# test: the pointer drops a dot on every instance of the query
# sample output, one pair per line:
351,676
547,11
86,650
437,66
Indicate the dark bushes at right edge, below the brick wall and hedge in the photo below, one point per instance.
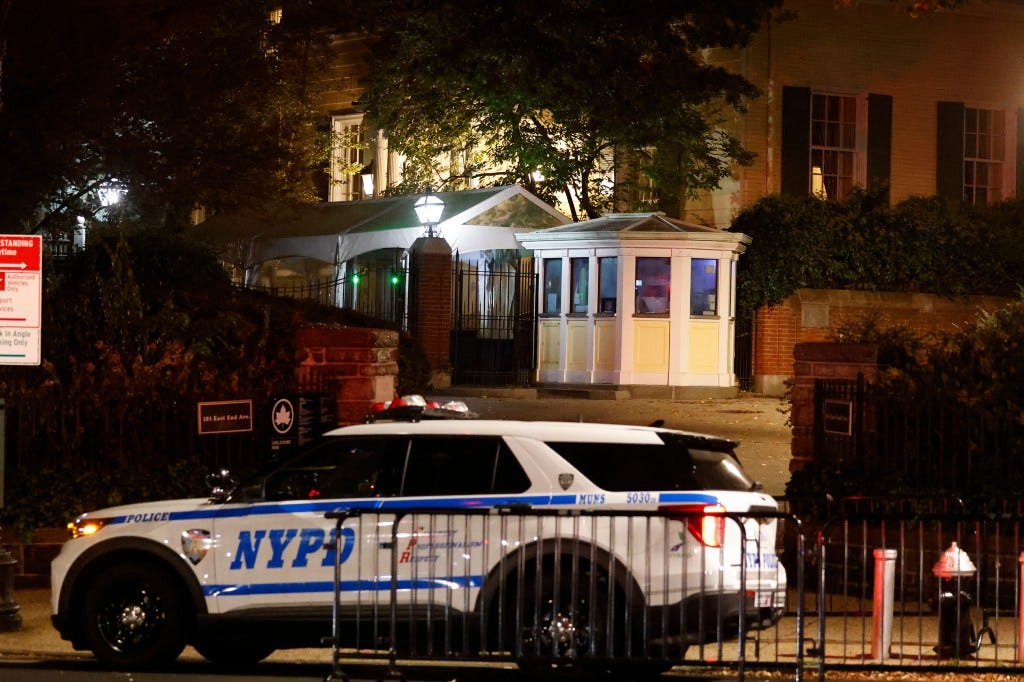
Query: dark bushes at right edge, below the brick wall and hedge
959,393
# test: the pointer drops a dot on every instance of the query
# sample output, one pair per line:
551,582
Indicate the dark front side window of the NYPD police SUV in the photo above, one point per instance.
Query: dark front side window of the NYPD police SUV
358,467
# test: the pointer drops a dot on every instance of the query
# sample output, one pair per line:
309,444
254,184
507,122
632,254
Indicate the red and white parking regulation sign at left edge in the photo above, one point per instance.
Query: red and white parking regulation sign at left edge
21,299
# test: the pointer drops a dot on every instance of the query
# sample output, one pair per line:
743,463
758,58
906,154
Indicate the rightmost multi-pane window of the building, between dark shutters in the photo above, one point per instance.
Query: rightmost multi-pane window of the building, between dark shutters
985,144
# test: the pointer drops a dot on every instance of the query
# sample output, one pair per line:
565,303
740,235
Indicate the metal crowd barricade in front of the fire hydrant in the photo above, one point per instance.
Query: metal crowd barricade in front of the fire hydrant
935,596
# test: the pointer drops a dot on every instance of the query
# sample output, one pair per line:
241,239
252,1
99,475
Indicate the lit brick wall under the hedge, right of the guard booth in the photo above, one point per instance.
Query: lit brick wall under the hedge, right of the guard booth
808,315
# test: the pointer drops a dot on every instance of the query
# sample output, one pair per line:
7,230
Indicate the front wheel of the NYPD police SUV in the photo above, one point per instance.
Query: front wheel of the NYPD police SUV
133,616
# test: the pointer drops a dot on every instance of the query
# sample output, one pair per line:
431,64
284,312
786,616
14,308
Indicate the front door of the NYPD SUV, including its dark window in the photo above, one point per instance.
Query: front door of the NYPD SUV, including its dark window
274,552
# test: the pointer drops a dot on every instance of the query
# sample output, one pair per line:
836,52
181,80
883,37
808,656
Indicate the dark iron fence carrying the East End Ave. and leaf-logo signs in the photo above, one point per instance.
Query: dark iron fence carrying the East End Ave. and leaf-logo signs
130,436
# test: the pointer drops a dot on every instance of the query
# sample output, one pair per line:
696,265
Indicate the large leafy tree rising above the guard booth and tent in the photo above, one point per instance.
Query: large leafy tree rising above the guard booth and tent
544,93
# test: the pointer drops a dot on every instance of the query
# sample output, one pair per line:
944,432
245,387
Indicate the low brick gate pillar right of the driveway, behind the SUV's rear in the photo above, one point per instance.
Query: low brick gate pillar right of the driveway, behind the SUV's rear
822,361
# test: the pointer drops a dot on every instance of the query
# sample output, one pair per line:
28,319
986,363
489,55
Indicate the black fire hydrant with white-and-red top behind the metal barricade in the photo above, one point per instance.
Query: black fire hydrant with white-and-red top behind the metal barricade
957,636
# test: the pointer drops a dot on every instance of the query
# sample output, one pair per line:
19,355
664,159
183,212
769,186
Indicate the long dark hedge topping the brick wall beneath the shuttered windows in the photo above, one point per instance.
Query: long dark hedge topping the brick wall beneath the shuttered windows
921,244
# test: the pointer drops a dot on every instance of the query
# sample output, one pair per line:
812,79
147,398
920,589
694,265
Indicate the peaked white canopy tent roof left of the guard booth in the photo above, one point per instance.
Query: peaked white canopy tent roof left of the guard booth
335,232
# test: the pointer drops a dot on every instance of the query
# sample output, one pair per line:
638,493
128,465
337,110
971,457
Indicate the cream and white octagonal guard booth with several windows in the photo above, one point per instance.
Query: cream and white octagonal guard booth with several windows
637,300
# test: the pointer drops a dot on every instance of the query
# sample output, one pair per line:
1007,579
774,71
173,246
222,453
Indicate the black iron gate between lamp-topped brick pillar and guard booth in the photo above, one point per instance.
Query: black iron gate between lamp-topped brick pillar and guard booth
494,322
